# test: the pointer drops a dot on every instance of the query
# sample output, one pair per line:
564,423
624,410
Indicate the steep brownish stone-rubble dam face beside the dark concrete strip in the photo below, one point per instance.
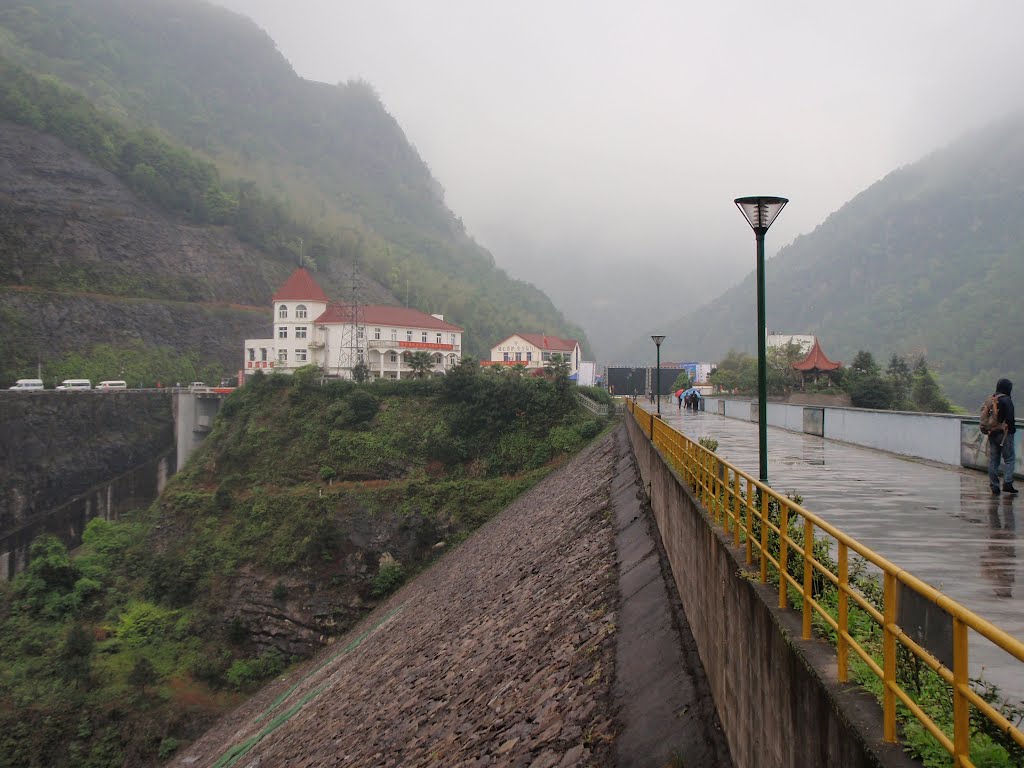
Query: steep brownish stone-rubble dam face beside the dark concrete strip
502,654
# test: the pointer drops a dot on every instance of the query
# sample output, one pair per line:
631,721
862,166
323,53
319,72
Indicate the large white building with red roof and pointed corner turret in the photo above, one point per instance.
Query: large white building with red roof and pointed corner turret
309,329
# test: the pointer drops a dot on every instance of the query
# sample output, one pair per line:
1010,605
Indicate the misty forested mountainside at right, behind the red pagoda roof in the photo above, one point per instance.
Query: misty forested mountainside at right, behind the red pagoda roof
929,261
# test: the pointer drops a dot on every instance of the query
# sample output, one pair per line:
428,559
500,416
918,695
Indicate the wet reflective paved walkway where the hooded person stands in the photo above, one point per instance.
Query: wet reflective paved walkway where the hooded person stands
941,524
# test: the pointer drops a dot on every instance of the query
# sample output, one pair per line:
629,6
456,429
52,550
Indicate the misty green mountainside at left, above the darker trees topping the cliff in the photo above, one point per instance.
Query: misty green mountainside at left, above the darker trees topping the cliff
351,186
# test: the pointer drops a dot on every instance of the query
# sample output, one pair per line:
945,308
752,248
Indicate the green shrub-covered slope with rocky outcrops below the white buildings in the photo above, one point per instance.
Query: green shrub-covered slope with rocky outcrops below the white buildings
306,506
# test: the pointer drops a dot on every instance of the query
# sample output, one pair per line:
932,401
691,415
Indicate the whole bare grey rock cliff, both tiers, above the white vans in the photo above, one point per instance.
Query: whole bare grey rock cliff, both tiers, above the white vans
68,227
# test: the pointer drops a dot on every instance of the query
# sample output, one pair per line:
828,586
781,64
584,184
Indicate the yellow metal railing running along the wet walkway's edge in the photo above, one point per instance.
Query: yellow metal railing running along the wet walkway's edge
746,508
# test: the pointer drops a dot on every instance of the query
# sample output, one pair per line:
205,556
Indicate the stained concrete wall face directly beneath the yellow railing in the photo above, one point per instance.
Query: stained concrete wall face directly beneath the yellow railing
778,696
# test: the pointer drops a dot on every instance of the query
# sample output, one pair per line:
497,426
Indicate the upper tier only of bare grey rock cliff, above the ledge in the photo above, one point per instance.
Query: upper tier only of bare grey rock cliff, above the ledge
66,224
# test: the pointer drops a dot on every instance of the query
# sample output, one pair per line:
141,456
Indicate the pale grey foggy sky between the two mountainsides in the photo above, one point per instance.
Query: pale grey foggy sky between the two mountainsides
585,136
